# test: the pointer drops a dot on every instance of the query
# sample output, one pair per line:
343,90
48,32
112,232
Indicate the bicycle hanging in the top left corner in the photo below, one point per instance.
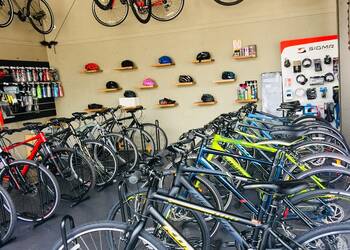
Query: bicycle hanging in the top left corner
38,12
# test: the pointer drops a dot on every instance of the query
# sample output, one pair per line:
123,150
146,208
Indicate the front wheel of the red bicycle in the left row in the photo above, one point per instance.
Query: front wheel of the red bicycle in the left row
75,174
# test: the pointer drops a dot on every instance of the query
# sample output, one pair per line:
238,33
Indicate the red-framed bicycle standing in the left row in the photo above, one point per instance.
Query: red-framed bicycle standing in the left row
75,174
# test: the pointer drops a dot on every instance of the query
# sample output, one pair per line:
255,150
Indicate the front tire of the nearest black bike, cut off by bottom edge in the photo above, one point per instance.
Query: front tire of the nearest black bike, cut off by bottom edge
106,227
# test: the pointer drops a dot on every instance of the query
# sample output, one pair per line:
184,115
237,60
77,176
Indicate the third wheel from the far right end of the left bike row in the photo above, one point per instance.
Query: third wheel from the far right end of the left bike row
126,150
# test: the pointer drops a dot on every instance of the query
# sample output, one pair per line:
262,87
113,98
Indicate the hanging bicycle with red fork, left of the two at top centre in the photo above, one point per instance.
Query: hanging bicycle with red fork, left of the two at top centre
111,13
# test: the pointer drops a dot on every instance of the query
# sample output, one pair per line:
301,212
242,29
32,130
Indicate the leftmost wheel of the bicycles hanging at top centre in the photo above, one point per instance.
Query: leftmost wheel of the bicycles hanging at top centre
113,16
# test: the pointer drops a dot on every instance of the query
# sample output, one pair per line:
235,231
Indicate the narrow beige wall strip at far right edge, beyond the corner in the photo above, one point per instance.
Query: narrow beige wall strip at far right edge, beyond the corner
345,65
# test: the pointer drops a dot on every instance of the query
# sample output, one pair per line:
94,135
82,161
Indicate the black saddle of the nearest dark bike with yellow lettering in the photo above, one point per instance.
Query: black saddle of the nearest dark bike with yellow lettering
280,187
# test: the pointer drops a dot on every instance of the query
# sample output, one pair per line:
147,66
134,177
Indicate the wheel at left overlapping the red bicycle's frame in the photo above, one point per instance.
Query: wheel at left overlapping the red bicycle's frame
22,207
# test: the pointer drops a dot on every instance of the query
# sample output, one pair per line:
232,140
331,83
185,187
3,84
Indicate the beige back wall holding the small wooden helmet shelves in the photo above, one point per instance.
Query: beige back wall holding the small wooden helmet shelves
203,25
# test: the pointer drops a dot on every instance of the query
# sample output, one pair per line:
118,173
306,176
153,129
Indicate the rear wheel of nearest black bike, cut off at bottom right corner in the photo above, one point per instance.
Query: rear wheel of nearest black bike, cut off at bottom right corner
334,237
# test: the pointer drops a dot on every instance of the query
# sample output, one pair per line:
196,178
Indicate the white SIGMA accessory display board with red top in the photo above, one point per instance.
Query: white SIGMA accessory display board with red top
310,74
